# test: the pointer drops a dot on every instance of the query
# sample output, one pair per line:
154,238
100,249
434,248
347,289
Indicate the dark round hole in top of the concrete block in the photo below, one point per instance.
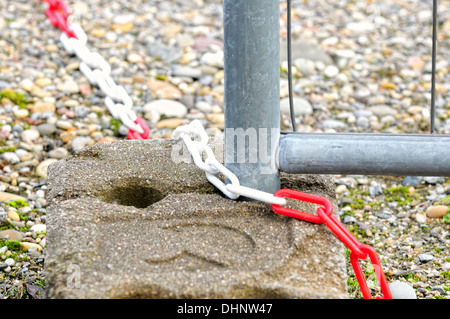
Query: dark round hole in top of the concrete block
137,196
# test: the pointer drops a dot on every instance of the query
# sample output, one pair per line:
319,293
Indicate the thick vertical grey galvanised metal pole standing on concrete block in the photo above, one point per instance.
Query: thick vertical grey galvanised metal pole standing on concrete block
252,75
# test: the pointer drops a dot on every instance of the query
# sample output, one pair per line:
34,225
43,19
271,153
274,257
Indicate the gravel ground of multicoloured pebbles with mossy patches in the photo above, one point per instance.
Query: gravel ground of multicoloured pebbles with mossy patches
367,69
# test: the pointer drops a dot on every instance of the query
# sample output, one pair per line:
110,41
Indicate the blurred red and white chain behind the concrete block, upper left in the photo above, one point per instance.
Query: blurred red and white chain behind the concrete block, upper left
96,69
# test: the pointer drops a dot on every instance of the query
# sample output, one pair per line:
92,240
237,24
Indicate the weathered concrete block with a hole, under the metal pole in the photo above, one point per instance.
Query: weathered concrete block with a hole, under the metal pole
137,219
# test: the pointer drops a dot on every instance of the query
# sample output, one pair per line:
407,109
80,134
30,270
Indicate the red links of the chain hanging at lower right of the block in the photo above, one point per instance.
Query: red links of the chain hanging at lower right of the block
325,216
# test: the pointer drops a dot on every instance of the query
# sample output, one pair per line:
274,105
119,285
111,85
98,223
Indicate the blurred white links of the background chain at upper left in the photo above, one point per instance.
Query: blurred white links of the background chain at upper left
97,71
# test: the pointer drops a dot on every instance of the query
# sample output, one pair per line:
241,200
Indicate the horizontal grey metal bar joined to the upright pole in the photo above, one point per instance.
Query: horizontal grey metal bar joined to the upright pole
365,154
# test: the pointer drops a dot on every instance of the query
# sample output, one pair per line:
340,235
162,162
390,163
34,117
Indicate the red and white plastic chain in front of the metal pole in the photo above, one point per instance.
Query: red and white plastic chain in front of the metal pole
196,139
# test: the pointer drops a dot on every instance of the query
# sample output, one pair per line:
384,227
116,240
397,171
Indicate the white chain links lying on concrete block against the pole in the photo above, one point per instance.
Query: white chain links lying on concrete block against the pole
196,139
